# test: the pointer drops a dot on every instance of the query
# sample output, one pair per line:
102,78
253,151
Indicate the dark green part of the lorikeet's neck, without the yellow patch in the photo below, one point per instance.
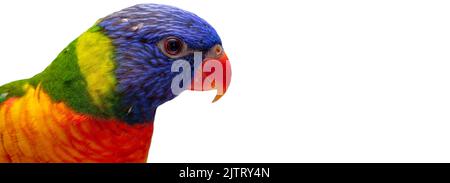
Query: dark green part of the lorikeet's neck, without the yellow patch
65,82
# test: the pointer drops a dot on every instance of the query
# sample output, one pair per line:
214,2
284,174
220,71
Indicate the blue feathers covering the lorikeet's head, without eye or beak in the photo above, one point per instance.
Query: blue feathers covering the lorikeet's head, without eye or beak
143,72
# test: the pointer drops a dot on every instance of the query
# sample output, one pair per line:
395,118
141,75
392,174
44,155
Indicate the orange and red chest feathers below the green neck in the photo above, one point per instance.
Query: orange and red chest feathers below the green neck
35,129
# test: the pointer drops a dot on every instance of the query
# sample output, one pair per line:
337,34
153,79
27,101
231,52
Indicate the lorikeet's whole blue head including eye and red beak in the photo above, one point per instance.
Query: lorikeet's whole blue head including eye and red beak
158,52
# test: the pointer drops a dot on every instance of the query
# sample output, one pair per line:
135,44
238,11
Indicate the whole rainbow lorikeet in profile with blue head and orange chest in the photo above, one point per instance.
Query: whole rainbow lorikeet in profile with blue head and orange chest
96,102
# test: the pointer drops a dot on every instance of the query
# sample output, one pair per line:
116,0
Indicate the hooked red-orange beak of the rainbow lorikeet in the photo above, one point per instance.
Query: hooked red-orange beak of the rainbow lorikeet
215,73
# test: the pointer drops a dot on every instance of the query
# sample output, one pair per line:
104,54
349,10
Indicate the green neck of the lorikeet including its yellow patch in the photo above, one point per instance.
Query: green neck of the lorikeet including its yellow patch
82,76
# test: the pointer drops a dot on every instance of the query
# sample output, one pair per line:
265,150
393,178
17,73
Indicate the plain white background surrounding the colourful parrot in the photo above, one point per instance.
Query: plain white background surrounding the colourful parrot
313,81
